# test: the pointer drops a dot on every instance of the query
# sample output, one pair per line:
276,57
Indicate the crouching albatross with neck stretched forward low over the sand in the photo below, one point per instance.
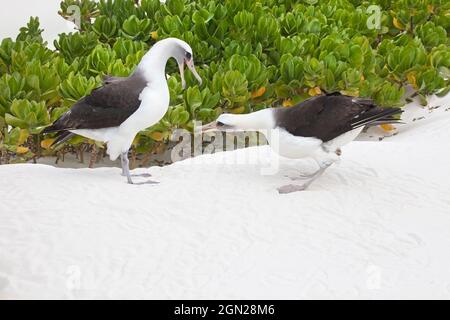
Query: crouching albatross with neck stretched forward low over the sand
316,128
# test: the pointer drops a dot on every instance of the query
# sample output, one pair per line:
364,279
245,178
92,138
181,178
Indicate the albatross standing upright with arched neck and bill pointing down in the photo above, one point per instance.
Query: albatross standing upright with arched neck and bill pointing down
117,111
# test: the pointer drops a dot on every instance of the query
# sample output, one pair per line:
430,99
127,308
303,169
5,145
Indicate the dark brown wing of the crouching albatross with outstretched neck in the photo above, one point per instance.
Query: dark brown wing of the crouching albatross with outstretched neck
327,117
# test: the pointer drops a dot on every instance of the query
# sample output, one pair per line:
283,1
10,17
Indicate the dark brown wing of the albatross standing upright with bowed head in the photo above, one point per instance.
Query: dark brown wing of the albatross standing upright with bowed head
107,106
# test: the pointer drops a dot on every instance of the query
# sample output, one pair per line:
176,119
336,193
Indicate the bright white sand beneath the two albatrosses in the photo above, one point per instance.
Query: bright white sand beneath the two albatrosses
374,226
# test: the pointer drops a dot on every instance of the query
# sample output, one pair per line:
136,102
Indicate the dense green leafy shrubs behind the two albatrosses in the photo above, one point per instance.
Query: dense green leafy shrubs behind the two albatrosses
250,54
